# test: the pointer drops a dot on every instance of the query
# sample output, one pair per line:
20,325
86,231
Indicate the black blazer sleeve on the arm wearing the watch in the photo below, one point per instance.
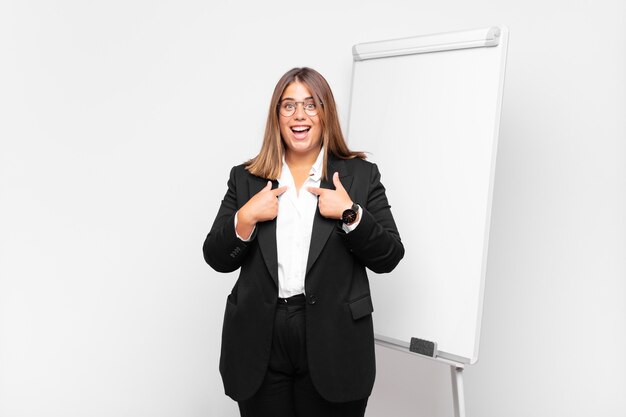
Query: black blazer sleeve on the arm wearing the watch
376,241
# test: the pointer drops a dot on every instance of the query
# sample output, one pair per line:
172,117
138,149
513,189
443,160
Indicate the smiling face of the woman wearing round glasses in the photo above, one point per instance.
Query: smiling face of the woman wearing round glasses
301,132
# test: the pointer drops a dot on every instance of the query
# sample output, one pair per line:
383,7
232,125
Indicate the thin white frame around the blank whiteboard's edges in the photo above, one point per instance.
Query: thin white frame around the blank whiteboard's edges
493,36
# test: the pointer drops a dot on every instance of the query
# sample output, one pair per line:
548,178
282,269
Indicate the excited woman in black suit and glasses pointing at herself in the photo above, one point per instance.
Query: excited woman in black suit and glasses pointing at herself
303,219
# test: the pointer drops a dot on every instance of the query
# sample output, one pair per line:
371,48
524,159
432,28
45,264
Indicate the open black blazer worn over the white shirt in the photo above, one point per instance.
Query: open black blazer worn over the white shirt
339,333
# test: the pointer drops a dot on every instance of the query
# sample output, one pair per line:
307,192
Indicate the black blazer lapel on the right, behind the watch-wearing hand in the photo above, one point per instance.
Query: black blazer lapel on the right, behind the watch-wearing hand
323,227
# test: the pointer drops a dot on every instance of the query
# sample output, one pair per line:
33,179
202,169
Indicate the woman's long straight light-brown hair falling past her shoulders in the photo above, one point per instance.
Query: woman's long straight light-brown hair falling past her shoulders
269,161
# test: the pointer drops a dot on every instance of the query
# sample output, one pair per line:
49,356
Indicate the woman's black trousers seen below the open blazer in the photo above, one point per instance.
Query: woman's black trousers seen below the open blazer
287,390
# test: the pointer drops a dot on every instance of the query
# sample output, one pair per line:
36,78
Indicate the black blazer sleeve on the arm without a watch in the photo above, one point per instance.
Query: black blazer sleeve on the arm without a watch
222,249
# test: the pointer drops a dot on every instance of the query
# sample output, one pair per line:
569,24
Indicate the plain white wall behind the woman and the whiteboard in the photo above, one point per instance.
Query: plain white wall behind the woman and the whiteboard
119,121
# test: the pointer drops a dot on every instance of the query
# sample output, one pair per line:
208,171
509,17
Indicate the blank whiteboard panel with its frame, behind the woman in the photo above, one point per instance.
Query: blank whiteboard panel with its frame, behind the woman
427,111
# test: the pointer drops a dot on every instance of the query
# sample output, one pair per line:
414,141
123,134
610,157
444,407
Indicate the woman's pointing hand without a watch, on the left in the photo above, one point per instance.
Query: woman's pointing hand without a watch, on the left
263,206
